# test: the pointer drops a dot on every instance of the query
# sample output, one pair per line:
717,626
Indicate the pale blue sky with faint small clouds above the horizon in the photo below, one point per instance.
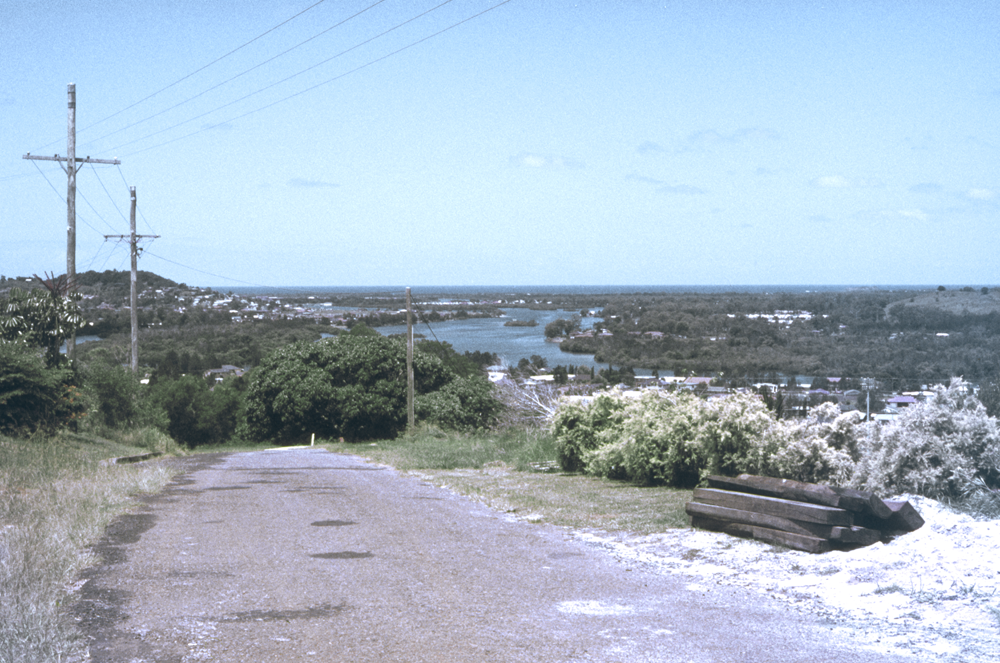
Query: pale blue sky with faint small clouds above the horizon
542,142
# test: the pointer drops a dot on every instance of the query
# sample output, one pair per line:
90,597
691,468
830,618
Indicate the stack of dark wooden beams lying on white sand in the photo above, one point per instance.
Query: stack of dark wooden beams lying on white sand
802,516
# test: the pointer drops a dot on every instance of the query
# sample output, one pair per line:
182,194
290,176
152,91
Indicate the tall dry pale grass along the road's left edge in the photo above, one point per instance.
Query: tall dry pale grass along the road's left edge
55,499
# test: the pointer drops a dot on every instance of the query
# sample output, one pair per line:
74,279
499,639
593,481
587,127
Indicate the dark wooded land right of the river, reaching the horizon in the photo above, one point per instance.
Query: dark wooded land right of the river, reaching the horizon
862,333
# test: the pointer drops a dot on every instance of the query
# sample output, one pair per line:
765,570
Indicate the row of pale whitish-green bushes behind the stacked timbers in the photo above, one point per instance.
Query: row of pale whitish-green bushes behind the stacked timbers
945,448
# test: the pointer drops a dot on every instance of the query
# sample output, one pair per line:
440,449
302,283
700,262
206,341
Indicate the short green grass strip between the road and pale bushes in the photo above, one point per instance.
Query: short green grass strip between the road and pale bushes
499,469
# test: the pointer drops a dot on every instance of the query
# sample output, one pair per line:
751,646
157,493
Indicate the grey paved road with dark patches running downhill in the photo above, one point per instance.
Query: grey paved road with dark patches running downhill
305,555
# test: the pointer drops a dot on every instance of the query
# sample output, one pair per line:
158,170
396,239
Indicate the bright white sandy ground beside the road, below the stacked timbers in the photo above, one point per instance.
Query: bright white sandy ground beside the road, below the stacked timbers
932,593
